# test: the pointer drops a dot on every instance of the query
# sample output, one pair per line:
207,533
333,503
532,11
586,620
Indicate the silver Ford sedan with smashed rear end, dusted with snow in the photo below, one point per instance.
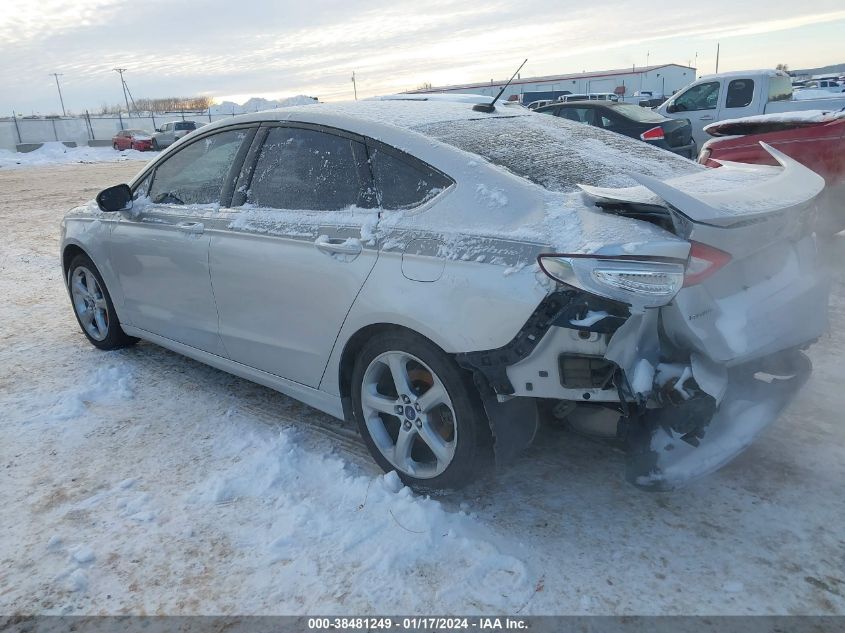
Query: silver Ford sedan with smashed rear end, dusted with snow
432,271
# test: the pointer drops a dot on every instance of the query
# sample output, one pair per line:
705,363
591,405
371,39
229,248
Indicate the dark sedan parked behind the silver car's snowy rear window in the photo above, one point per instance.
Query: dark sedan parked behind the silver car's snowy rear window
630,120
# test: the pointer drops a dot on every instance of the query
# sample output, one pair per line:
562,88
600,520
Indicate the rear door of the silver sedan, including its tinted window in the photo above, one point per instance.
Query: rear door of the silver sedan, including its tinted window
288,267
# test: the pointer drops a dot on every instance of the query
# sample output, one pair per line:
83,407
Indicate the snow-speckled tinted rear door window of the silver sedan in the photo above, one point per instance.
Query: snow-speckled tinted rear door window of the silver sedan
305,169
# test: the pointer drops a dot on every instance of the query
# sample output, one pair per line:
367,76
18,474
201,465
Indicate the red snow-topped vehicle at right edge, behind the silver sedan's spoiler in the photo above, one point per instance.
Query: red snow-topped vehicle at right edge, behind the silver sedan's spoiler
815,139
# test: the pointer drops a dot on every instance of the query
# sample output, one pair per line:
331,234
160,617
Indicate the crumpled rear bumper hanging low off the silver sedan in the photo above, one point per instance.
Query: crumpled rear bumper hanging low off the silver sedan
659,459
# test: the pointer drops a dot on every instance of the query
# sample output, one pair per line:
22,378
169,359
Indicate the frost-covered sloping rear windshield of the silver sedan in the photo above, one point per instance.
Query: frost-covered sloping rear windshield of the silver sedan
556,153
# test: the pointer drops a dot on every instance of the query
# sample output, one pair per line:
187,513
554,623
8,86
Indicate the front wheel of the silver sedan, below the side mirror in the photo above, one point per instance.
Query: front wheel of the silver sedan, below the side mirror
89,296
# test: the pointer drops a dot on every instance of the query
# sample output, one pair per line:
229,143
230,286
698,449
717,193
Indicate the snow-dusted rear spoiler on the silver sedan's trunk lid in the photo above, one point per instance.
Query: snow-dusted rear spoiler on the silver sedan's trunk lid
749,199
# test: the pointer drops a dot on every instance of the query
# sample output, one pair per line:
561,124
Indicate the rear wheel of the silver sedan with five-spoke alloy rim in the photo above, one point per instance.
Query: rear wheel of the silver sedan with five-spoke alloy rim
441,408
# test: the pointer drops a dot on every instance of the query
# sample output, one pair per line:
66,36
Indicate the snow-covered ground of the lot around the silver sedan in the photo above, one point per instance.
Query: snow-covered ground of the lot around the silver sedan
143,482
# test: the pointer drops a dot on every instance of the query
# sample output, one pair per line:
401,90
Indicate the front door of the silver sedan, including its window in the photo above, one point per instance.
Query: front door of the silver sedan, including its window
160,253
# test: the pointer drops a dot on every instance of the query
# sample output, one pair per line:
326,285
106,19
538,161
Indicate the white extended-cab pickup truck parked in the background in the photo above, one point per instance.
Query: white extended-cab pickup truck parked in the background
738,94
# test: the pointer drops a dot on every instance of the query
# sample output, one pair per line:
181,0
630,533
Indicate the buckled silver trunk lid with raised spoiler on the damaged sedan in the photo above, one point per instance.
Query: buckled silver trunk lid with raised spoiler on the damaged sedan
772,294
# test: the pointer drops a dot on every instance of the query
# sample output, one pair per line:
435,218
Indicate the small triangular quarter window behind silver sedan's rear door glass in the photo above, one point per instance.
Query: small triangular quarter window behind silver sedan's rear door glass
401,184
